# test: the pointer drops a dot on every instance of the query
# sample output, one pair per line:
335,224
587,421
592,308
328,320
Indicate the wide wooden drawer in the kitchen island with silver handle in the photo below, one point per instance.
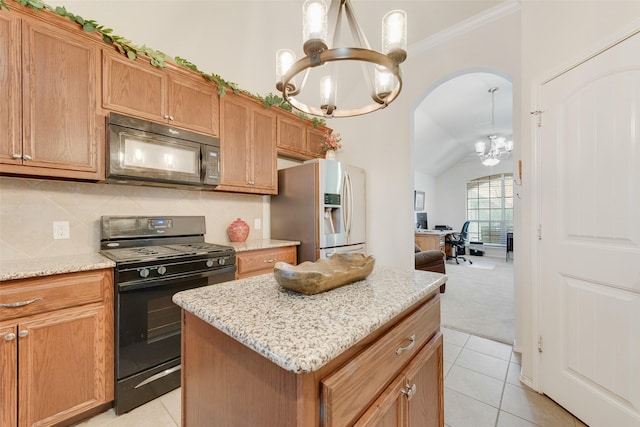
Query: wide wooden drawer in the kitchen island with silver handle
347,392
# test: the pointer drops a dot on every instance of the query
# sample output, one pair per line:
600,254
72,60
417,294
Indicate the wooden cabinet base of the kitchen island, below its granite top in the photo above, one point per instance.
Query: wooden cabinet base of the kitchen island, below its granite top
391,378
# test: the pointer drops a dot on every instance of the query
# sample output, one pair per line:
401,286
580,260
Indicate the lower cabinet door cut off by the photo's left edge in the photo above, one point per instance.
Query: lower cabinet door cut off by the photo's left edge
9,372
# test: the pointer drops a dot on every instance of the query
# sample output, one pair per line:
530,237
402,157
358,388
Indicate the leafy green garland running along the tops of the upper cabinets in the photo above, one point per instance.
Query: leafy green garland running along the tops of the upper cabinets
156,57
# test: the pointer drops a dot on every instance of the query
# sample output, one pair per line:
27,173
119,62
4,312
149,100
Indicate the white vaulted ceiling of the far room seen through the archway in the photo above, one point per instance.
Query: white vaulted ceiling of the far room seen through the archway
456,114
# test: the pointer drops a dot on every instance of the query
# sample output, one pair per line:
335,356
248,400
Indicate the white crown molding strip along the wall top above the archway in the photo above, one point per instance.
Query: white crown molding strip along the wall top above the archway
503,9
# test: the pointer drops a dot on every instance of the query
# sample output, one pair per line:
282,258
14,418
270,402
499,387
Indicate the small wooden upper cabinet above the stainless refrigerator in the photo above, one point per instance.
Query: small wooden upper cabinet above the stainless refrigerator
298,138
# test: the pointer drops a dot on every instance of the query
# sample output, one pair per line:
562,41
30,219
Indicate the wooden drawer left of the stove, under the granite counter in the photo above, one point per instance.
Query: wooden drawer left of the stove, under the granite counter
43,294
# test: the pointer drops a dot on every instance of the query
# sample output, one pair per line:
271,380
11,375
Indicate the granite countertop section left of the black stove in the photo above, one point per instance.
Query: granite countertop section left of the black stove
46,266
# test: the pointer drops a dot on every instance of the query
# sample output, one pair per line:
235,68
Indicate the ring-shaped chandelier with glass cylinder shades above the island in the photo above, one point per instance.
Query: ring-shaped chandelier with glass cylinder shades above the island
381,71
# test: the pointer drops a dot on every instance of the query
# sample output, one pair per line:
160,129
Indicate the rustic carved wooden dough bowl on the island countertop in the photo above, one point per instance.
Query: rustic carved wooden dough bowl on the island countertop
314,277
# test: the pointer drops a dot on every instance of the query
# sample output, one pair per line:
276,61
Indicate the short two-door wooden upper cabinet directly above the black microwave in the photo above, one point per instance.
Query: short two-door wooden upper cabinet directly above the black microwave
175,97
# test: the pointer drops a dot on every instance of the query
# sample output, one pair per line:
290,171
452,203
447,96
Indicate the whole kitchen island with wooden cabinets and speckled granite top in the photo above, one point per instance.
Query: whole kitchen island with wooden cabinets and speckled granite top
367,353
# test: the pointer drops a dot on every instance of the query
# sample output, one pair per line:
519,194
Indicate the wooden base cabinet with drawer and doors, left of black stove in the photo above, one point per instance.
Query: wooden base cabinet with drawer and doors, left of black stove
56,356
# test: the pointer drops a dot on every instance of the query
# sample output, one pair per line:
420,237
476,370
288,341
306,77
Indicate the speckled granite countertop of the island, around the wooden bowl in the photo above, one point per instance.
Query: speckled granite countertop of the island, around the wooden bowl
302,333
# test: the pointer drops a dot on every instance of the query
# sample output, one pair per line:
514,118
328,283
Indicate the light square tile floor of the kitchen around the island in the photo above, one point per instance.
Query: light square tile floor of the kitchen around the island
482,389
